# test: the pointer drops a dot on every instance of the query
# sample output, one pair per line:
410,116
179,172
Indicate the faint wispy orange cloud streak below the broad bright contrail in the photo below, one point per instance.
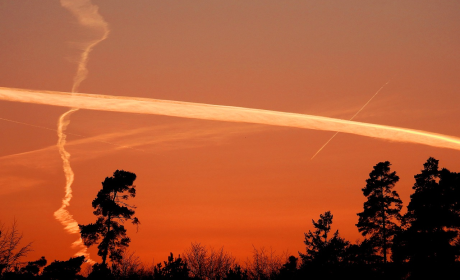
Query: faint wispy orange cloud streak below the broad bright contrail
156,139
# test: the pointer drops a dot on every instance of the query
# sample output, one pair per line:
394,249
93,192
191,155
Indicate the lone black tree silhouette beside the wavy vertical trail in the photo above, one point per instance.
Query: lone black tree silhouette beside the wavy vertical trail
111,211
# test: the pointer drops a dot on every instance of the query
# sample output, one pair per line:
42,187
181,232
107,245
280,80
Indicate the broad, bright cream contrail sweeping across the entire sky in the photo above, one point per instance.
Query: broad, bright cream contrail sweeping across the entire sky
227,113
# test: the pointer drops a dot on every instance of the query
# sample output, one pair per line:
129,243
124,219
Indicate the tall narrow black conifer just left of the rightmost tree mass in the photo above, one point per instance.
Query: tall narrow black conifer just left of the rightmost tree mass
382,208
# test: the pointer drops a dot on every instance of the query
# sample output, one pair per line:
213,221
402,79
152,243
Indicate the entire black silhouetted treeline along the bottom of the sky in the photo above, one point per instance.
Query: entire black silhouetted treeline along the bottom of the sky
422,243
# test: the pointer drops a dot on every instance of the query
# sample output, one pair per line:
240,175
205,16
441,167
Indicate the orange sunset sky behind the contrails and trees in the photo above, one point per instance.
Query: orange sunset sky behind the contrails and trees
225,184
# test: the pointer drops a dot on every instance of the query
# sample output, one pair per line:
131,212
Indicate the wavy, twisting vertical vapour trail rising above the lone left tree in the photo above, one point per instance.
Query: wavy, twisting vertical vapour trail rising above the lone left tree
87,15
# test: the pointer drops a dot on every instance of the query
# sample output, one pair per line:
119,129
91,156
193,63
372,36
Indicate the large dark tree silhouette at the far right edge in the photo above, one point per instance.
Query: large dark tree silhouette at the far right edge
431,222
